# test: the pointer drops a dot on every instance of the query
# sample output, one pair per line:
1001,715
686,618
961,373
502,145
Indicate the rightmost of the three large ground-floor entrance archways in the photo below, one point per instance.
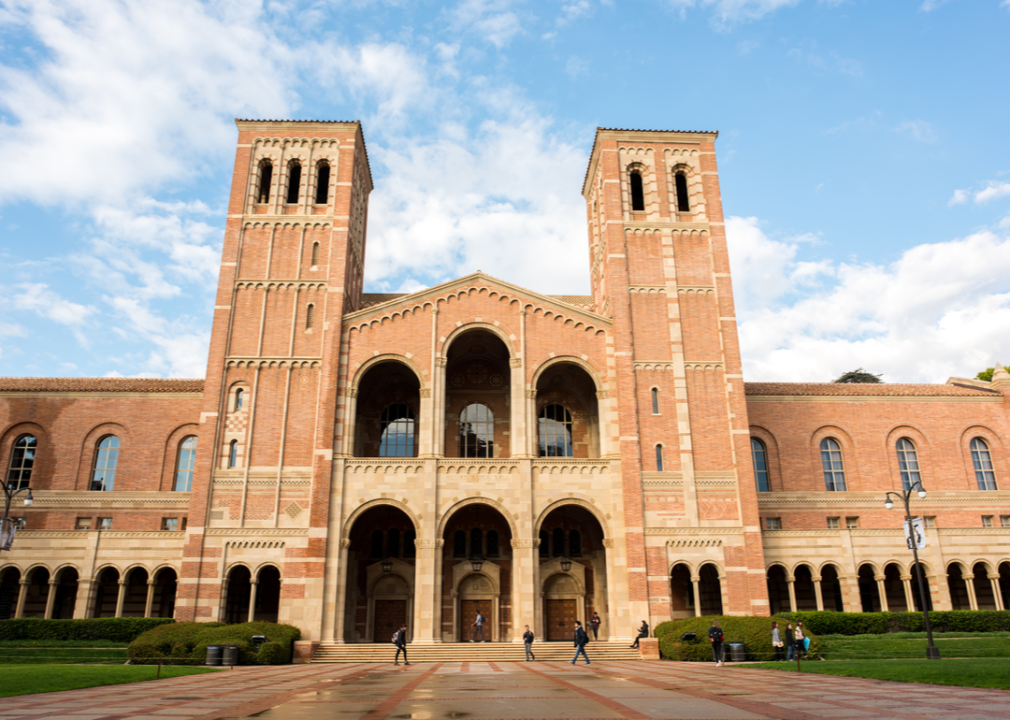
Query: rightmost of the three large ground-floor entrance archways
572,571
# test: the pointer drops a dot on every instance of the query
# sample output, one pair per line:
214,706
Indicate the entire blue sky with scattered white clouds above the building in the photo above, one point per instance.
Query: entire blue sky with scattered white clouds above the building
863,150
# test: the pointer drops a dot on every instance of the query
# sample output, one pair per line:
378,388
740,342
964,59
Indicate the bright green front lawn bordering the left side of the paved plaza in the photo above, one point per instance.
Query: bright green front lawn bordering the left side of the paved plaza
17,680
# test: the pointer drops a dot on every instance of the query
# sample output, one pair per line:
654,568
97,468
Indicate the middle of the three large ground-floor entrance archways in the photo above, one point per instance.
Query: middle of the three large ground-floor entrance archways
477,567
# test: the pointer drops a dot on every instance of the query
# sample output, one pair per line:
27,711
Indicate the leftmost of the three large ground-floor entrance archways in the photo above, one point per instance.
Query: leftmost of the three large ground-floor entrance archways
380,588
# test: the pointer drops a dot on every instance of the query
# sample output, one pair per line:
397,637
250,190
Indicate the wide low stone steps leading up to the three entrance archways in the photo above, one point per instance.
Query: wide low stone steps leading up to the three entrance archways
469,653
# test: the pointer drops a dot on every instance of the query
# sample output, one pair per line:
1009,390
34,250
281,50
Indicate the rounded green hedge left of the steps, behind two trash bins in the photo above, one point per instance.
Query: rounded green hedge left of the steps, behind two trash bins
186,643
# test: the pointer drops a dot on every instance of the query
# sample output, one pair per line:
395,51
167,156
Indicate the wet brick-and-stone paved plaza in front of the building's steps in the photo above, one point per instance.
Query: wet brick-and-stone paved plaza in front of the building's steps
490,691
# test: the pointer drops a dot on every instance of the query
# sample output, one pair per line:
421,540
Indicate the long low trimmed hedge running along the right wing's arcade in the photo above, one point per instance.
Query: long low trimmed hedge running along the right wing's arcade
833,624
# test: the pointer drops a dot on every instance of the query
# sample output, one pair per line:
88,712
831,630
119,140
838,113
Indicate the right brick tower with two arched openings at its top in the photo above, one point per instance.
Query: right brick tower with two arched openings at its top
661,270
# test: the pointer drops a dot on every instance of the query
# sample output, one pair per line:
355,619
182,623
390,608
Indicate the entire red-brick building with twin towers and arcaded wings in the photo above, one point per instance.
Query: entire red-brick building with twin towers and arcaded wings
355,461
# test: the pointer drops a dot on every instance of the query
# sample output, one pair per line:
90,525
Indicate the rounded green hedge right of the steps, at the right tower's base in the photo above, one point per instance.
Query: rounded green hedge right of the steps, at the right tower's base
754,633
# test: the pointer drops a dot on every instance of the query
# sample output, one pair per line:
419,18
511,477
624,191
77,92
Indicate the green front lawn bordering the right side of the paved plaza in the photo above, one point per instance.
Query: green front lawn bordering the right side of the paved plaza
967,674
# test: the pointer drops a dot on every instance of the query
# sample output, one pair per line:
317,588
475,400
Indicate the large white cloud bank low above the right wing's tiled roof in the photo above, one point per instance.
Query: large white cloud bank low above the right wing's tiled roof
940,311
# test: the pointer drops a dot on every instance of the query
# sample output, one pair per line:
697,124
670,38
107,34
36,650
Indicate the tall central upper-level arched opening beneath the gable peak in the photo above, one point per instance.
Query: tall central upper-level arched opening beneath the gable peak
478,387
